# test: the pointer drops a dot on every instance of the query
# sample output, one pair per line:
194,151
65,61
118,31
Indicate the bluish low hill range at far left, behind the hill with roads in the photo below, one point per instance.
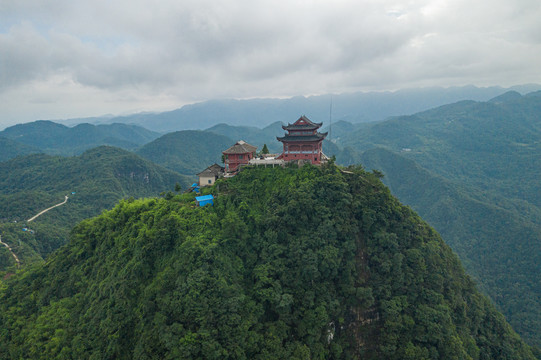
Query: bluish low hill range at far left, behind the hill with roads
54,138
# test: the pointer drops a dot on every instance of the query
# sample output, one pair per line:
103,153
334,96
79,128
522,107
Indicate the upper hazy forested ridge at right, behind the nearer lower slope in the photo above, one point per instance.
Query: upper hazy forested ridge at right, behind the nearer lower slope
490,145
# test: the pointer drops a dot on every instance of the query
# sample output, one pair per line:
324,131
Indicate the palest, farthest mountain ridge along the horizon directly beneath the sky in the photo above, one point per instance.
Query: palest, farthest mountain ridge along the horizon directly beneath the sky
353,107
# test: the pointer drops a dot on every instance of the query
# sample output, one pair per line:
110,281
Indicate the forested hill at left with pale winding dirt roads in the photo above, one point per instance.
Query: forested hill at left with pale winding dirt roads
99,178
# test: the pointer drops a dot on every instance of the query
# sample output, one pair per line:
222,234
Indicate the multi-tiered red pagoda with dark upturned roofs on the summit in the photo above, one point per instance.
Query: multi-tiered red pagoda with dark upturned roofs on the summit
302,141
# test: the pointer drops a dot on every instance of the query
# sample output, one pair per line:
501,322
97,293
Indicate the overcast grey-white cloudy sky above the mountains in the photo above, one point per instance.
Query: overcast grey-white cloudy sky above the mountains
68,58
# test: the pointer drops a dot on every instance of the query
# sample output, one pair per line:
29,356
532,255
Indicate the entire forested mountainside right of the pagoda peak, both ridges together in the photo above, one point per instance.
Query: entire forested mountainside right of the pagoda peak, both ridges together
476,180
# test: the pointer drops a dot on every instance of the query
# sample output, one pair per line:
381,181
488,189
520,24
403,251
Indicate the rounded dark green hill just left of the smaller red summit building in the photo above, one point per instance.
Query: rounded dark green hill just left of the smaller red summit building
187,152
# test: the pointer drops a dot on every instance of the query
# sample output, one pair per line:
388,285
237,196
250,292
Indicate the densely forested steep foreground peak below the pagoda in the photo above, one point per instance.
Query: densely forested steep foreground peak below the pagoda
309,263
